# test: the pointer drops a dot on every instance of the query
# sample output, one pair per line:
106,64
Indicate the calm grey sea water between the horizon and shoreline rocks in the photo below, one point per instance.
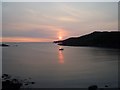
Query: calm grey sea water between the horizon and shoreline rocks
75,67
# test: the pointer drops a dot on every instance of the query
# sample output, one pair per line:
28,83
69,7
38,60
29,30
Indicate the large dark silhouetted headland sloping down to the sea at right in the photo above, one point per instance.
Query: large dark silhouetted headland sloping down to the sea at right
94,39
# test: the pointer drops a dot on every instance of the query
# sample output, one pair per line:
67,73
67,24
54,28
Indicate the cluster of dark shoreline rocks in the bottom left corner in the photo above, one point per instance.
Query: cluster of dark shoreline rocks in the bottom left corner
10,83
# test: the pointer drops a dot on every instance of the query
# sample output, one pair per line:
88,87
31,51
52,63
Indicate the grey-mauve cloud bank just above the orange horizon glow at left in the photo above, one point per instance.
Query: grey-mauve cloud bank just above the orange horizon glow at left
33,30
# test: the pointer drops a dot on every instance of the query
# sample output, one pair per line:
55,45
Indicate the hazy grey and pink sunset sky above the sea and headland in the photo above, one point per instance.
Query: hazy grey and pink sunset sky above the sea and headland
49,21
